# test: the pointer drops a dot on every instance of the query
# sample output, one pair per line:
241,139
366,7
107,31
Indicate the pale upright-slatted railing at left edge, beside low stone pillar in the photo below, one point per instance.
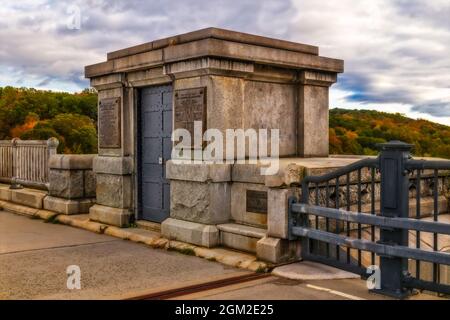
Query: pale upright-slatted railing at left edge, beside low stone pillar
25,162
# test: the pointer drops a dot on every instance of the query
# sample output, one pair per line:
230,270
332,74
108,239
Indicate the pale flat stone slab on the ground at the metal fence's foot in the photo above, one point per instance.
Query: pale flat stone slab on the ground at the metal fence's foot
306,270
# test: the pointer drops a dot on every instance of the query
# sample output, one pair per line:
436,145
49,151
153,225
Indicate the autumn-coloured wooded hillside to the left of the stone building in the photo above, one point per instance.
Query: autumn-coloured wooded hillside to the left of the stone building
28,113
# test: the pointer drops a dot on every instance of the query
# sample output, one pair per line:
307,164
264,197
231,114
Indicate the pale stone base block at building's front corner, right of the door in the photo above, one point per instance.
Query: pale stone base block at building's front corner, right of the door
190,232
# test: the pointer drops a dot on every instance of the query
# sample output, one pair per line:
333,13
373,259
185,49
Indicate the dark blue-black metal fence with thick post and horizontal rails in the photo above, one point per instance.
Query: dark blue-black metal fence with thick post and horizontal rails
379,212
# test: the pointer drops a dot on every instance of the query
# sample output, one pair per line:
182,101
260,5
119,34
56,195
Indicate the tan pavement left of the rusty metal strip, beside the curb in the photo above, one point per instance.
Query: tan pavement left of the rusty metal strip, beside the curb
34,257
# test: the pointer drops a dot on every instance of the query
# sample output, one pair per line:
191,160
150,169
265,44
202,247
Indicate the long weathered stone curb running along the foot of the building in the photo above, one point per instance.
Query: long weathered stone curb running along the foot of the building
227,257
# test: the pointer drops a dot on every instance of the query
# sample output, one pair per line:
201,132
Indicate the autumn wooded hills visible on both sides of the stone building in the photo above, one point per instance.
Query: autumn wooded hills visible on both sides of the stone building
72,118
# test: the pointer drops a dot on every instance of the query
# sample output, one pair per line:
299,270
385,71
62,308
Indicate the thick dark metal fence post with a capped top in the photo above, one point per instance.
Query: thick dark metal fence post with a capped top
394,203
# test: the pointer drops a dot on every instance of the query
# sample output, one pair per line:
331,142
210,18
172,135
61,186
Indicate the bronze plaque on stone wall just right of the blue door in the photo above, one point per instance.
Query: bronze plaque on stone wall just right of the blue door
190,106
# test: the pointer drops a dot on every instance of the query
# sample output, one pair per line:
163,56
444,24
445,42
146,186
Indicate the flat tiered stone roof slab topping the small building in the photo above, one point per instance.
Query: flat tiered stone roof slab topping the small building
217,43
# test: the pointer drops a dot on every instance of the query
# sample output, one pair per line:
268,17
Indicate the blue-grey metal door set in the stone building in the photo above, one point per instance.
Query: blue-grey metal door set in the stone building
155,150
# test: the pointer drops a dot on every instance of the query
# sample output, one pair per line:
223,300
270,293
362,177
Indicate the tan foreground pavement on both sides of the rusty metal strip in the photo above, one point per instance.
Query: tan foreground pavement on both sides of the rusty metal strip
34,256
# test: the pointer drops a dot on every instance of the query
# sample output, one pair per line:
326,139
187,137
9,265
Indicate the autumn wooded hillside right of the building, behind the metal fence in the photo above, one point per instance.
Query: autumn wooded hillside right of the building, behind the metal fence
358,132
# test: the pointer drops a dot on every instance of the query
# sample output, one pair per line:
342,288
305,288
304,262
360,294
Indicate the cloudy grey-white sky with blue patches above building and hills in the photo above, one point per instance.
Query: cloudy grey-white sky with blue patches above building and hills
396,52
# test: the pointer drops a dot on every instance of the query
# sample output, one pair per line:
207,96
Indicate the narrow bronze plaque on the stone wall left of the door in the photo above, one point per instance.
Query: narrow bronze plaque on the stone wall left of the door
109,123
